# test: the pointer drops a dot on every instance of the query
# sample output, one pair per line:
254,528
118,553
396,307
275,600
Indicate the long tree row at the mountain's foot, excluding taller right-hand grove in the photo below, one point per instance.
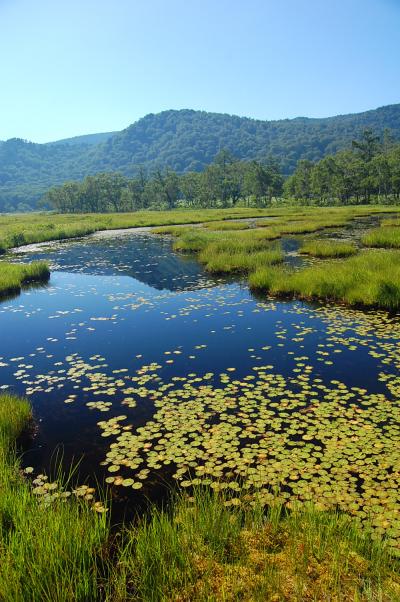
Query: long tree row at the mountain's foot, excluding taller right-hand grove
221,184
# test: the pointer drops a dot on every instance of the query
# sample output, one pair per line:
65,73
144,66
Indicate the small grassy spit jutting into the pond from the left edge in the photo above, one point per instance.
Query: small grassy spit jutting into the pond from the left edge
13,276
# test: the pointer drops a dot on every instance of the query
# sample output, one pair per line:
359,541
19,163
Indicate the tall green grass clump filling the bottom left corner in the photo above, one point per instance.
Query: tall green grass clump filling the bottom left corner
48,553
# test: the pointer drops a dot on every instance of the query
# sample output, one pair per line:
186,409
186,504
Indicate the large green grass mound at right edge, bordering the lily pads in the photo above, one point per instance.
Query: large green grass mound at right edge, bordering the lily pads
371,279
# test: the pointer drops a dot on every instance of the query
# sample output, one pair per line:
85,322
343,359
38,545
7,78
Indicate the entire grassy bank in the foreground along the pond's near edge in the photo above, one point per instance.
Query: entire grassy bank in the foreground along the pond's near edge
203,546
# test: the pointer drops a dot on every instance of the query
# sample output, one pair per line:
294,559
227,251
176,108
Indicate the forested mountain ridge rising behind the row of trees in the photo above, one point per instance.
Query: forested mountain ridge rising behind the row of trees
183,140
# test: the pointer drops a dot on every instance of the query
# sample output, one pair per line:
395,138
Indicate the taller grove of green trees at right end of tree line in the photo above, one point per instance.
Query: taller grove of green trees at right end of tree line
368,171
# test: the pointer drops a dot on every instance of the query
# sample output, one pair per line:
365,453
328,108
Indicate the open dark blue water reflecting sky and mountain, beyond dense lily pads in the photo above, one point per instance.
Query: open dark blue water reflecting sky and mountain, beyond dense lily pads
130,300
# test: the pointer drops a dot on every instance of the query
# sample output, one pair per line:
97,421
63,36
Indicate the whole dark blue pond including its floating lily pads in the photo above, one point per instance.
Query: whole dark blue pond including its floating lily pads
147,370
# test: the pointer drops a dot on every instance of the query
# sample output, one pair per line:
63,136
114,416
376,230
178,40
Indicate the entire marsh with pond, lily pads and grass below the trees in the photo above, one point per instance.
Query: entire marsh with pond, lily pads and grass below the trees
201,405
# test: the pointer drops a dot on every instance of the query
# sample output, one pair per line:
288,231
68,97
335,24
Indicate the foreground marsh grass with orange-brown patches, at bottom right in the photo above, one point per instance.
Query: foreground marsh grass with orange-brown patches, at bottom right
201,549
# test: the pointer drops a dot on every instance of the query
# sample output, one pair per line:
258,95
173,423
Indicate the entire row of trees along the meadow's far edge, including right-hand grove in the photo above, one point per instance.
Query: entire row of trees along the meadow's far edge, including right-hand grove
367,172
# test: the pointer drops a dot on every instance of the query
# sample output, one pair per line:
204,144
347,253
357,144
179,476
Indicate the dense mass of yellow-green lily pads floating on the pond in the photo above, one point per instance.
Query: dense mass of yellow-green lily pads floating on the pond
298,436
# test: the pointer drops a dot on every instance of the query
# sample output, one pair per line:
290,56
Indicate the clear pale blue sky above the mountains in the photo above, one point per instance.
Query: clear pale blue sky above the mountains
70,67
